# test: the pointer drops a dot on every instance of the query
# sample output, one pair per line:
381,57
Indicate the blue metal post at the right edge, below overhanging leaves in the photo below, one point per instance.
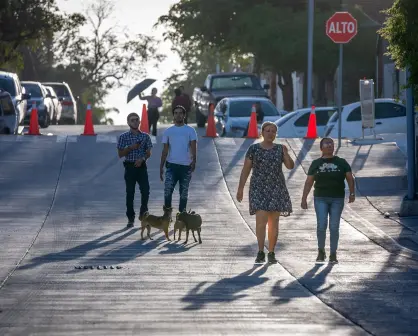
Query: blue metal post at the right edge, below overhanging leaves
410,133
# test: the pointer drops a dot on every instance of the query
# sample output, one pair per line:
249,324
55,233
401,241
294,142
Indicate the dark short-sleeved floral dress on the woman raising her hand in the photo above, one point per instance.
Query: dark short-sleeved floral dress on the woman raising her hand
268,189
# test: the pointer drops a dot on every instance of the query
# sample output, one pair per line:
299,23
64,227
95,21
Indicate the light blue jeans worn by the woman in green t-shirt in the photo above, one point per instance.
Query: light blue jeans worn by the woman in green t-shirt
328,207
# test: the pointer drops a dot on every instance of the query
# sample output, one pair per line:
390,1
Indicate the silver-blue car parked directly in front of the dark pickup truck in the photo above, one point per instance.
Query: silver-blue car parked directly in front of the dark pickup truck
233,114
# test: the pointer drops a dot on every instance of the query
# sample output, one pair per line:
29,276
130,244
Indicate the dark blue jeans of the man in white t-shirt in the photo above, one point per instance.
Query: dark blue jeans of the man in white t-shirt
177,173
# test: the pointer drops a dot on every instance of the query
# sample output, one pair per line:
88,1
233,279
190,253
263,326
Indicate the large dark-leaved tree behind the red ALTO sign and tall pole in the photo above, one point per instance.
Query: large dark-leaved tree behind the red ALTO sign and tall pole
273,32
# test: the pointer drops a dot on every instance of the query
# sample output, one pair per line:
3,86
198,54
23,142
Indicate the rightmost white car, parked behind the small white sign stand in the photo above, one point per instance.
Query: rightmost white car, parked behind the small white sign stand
390,117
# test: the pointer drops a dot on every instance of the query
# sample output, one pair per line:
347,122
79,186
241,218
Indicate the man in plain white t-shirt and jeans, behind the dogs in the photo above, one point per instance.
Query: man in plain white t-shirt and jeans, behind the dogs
179,158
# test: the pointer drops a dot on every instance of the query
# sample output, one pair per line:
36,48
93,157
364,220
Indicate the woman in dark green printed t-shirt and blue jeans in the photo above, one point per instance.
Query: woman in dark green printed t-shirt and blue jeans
328,172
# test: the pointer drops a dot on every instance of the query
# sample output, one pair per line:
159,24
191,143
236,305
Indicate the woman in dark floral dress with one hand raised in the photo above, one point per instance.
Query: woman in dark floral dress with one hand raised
268,194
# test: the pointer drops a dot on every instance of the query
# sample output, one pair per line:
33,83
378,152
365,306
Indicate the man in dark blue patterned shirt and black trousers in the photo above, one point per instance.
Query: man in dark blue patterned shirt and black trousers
135,146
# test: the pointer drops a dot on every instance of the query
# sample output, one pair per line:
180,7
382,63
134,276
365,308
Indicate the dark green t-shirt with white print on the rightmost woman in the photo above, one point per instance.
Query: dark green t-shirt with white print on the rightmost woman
329,175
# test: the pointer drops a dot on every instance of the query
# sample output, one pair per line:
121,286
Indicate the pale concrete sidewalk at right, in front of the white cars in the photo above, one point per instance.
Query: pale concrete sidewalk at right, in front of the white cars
380,187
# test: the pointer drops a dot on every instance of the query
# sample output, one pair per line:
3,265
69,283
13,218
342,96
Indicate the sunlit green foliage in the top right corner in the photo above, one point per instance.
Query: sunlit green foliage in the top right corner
401,31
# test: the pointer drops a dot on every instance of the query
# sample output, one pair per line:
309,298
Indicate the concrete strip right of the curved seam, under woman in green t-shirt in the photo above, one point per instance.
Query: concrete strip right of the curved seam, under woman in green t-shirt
374,288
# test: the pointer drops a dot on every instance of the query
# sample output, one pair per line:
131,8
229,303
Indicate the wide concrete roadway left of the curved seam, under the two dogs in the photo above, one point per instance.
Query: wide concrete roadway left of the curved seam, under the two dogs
162,288
